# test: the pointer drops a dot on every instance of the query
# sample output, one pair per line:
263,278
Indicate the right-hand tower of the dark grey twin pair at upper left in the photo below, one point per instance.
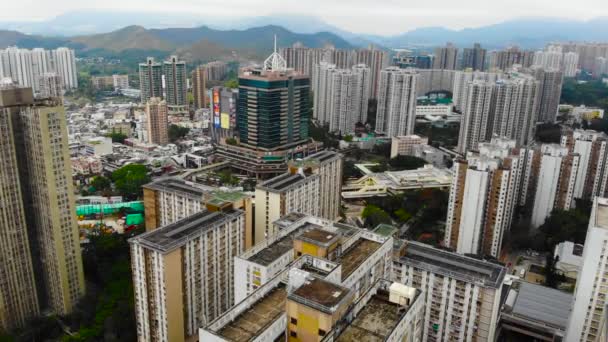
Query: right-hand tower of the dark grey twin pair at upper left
176,87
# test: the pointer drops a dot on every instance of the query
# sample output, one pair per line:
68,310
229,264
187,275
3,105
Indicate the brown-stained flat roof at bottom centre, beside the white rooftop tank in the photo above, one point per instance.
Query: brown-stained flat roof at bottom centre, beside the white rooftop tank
375,322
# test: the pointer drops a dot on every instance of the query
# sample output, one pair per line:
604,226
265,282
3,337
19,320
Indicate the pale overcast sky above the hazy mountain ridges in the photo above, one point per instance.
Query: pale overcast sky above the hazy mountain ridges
361,16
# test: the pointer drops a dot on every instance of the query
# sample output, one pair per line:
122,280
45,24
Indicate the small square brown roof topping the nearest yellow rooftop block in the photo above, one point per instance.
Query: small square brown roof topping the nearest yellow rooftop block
320,294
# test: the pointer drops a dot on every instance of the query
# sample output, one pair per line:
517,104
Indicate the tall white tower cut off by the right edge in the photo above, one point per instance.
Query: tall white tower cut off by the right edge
589,305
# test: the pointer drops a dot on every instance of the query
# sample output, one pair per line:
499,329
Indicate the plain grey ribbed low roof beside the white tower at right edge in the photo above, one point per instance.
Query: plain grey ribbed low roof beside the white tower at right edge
544,304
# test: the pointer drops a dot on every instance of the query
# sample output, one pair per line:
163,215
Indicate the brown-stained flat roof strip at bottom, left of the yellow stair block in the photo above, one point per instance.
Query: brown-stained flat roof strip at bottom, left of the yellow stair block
257,318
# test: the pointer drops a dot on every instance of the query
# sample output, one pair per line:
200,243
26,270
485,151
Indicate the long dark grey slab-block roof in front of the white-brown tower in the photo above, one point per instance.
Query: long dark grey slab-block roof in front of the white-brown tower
453,265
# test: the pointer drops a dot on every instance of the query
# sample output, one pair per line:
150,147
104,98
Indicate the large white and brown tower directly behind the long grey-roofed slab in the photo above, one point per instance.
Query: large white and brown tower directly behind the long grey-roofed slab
483,196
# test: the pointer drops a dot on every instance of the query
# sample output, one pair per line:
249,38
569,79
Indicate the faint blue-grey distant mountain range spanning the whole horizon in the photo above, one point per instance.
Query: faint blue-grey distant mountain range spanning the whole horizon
525,32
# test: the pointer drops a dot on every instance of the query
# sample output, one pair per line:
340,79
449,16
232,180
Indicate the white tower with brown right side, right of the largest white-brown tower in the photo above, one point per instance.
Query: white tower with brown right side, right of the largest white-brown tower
555,175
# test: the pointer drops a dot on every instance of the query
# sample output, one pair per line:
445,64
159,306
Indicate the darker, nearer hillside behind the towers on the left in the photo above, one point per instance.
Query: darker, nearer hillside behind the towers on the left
194,44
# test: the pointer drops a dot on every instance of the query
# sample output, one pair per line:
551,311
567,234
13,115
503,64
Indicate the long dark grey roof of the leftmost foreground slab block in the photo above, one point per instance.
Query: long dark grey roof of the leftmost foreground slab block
172,236
